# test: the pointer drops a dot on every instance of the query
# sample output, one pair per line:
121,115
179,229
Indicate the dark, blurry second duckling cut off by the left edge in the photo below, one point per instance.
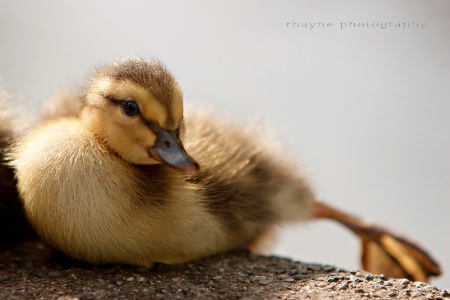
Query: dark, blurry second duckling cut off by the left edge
14,226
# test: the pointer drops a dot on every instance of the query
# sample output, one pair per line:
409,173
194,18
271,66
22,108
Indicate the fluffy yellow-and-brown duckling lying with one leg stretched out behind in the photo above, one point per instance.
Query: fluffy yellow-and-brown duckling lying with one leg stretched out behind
130,179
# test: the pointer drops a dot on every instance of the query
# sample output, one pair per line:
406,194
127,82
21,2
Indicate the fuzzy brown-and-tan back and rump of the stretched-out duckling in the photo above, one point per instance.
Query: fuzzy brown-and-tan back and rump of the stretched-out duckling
246,185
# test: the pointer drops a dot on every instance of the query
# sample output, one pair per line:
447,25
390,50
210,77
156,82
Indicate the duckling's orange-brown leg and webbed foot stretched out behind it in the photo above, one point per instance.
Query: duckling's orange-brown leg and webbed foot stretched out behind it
384,252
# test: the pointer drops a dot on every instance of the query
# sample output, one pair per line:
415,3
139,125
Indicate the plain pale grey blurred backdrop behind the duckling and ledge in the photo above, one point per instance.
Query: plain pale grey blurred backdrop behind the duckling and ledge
365,111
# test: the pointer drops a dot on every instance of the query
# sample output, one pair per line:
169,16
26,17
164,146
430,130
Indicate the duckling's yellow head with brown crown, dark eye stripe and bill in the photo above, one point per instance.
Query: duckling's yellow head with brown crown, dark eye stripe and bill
136,107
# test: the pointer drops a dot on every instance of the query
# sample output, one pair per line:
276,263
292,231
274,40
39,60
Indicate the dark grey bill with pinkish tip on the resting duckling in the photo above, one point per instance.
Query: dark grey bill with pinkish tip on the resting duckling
169,150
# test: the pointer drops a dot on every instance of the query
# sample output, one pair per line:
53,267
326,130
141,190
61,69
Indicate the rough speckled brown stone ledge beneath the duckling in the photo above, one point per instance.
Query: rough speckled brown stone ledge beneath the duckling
33,271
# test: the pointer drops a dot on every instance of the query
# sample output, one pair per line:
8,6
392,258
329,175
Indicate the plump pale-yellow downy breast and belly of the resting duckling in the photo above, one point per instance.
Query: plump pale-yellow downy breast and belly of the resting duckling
94,206
